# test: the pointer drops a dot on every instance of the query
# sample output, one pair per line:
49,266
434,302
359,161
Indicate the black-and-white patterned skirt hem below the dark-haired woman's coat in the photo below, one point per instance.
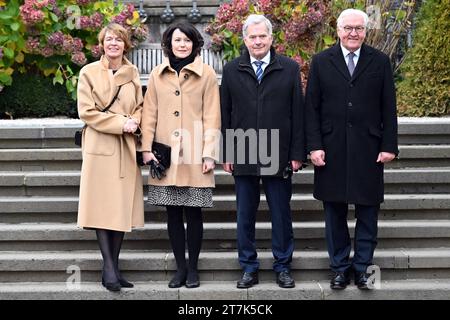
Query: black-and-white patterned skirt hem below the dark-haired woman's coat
180,196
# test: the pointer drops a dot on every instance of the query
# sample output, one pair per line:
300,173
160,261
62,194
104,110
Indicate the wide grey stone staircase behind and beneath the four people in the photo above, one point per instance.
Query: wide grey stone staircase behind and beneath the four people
40,243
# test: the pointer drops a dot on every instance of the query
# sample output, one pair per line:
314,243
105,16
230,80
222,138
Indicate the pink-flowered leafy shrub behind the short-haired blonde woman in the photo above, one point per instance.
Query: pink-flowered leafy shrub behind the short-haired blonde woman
59,37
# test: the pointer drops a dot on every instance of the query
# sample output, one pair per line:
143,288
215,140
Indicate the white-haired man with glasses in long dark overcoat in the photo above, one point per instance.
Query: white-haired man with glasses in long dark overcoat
351,126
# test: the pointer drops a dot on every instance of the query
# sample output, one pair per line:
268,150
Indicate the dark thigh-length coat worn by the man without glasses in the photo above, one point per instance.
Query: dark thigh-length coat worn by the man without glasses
276,103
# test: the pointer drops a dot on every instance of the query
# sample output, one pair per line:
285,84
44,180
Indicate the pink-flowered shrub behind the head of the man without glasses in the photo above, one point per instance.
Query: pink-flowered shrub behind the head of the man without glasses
295,26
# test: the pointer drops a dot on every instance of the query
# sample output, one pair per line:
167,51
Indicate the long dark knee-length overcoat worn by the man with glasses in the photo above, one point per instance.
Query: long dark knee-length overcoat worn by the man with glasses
352,119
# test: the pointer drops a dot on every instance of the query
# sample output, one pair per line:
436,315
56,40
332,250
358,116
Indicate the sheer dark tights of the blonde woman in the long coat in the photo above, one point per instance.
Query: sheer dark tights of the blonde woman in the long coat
110,242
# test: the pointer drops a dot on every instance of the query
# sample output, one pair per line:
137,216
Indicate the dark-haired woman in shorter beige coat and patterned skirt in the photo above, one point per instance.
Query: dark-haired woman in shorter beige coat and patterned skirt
181,109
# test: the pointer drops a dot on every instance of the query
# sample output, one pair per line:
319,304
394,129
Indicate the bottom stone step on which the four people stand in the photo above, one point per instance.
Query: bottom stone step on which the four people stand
436,289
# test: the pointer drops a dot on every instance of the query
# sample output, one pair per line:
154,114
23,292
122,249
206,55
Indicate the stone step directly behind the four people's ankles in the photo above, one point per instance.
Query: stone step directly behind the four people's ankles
140,265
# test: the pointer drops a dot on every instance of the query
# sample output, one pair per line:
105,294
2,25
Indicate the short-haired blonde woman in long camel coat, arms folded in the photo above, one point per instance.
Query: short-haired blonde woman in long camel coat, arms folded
111,184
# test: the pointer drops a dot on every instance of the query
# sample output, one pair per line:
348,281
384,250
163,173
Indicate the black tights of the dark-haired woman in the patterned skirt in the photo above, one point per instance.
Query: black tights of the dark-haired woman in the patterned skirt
175,226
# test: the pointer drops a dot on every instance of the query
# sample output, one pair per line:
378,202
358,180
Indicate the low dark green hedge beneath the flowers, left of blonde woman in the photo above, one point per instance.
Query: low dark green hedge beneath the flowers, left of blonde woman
33,95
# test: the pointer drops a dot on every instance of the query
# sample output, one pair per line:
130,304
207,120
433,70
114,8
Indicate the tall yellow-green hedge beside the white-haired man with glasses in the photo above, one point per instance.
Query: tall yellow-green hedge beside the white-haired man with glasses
425,87
